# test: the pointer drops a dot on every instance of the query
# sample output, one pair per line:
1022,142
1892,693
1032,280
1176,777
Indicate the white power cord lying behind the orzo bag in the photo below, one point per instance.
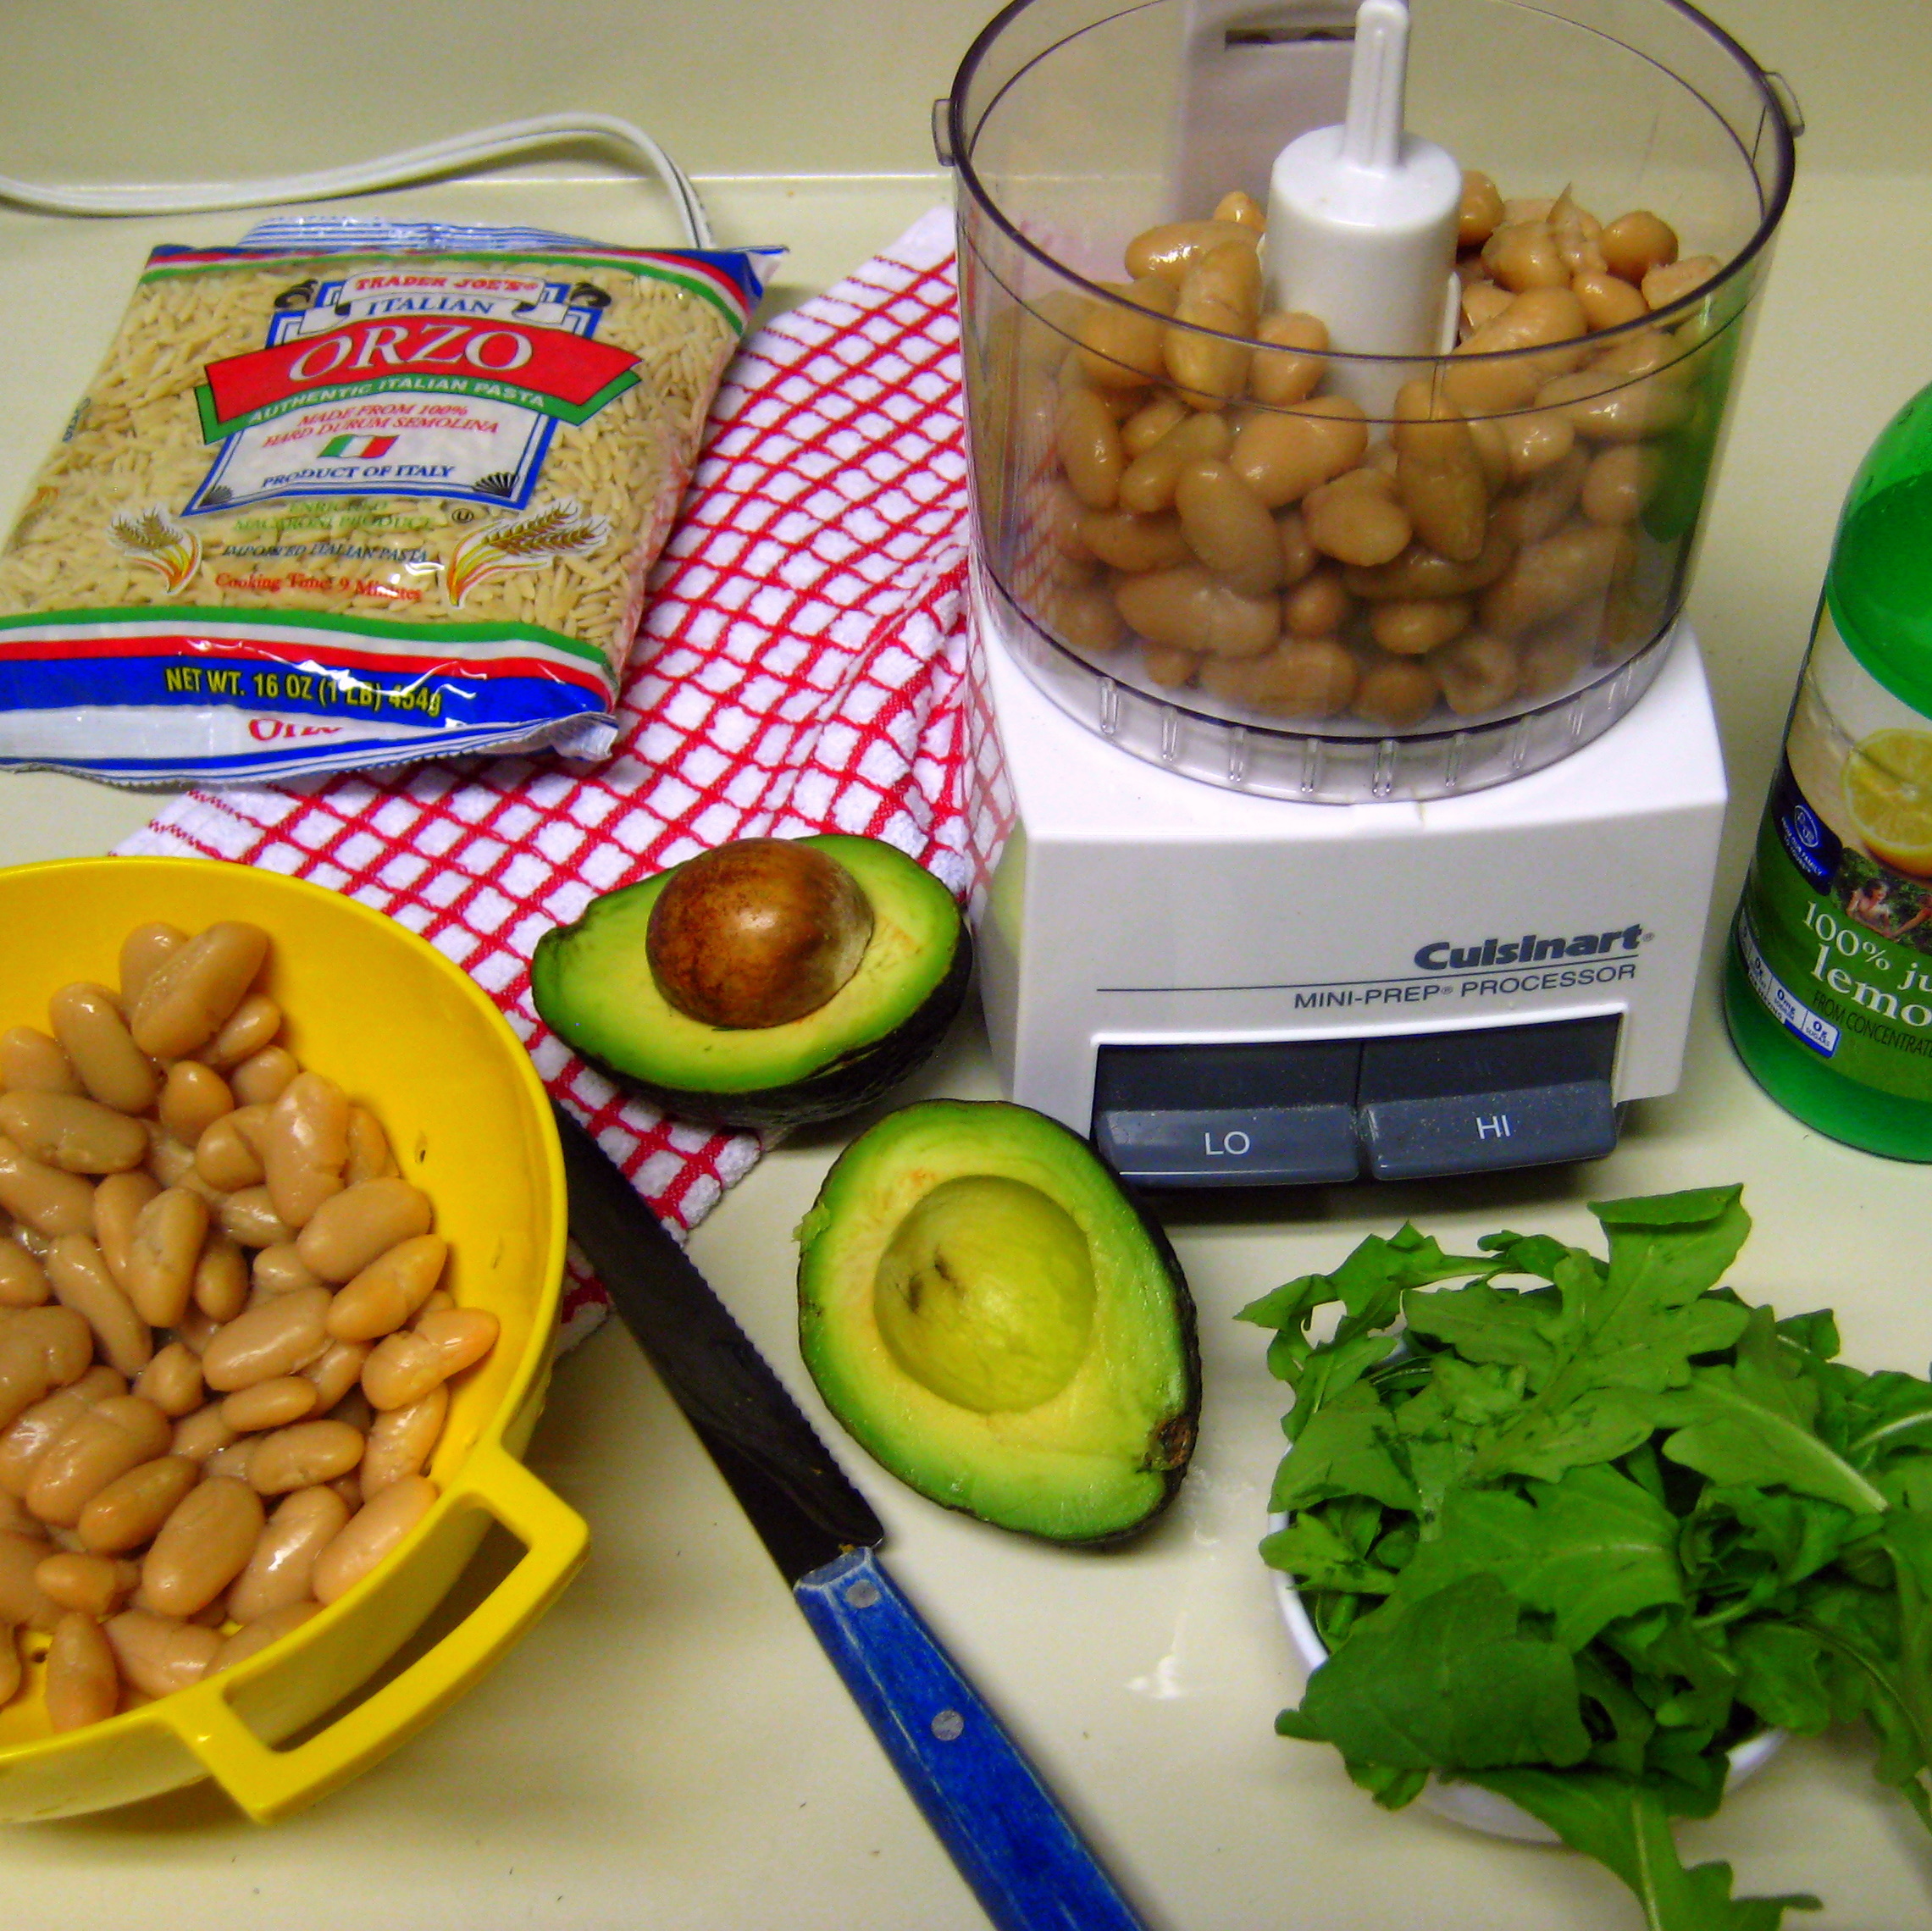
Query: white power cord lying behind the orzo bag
459,154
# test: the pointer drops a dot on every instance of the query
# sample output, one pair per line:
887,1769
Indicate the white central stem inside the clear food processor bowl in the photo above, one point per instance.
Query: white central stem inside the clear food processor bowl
1363,219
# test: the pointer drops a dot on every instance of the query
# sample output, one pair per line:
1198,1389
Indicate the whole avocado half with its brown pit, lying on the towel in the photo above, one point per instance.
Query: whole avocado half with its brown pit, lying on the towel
768,984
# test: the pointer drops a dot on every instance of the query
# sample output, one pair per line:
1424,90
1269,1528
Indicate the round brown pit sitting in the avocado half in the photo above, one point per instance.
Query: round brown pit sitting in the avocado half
756,934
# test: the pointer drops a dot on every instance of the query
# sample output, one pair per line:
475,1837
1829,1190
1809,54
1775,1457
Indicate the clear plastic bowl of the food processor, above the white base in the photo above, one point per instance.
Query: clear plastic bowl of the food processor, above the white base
1079,125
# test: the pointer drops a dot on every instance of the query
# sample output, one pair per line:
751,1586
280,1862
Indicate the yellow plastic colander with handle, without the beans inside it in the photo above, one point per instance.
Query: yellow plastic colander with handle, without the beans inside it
403,1030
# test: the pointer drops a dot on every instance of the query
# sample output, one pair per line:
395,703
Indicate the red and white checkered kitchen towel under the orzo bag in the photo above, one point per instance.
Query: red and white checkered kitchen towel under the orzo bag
799,671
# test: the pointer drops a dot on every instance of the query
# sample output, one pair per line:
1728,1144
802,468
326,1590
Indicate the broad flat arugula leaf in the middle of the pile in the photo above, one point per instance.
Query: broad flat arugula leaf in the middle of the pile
1585,1550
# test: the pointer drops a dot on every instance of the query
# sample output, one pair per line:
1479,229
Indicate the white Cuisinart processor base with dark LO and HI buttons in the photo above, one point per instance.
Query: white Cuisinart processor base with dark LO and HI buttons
1230,990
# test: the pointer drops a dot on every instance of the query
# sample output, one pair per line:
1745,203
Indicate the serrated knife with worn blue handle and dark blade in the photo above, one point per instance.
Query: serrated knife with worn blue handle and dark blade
988,1805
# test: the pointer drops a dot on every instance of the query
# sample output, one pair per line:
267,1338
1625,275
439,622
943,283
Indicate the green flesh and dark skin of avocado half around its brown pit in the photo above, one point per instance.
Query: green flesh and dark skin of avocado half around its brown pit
594,988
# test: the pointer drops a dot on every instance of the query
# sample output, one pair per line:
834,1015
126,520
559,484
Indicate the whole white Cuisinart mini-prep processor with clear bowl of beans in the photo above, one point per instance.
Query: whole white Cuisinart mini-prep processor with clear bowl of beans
1346,785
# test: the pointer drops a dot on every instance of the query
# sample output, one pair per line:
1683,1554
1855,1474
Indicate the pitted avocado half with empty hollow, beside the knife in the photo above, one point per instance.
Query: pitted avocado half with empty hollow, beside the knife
1000,1324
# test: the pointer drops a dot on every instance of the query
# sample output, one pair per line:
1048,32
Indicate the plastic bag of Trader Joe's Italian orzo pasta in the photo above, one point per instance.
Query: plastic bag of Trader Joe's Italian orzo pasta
355,493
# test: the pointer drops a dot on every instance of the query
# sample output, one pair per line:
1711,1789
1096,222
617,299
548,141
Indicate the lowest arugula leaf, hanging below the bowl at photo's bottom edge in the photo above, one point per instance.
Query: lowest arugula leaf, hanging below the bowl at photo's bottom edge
1626,1828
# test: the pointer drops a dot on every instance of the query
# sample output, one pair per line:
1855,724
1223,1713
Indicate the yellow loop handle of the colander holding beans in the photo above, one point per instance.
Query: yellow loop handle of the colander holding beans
273,1783
